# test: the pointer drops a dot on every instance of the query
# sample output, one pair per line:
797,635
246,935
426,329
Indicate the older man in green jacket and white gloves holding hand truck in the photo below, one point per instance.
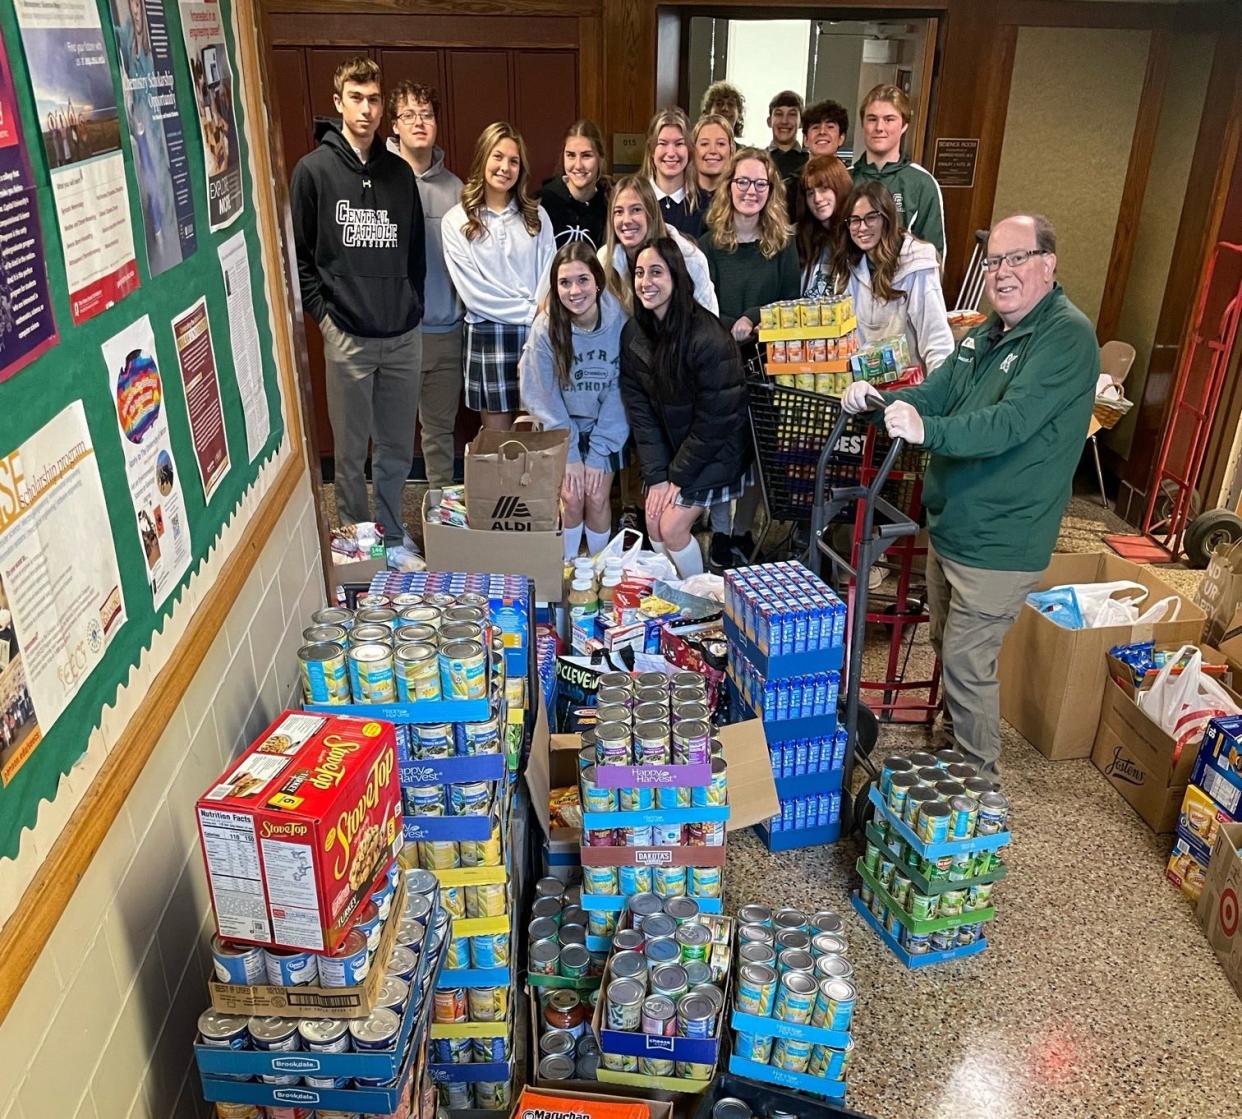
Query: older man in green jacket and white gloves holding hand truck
1004,418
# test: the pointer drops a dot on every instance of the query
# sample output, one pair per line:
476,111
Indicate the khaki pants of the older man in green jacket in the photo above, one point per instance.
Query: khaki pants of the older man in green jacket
972,610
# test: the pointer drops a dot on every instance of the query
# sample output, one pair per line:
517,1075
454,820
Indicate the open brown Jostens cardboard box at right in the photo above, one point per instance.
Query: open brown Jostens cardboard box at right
1140,759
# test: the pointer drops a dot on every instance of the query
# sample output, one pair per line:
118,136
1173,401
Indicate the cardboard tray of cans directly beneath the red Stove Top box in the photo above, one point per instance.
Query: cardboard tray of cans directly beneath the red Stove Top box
252,966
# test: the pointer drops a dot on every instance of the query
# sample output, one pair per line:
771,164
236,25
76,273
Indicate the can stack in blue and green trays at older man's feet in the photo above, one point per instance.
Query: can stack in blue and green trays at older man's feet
943,800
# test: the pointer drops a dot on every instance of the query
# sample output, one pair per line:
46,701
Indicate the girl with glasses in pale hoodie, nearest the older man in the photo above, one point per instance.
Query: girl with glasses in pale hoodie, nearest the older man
892,276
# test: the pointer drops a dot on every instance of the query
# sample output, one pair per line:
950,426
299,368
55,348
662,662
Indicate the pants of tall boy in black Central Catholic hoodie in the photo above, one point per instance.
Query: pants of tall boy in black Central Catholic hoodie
373,398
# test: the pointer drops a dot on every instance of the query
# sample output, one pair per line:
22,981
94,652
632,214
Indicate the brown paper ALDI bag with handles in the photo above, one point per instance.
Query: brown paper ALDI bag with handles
514,480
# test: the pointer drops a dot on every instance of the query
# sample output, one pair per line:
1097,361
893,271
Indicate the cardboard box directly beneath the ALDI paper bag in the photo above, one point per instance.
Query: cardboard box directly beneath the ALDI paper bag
538,556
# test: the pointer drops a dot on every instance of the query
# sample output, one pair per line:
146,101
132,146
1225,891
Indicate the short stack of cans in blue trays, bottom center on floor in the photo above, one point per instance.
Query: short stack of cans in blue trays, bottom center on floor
793,968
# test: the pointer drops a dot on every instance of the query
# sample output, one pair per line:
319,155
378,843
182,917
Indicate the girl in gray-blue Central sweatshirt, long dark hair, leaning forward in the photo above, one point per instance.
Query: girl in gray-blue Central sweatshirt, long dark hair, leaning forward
569,379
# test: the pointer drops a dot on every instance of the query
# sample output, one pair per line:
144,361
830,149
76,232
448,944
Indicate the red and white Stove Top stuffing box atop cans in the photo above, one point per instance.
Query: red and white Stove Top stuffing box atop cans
296,831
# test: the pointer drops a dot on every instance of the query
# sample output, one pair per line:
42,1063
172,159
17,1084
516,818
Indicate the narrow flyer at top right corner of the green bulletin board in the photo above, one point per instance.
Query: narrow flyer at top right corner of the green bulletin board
203,25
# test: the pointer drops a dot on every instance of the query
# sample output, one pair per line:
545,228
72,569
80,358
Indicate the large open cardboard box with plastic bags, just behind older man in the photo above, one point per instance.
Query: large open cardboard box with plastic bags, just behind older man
1053,679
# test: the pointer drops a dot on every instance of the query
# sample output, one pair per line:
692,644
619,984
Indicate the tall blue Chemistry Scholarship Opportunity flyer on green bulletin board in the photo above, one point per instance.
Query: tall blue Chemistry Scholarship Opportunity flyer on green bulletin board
156,132
